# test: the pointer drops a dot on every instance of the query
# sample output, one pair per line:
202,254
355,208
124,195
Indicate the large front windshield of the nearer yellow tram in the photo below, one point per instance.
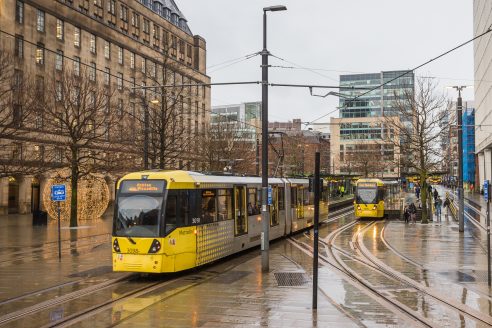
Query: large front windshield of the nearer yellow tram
138,216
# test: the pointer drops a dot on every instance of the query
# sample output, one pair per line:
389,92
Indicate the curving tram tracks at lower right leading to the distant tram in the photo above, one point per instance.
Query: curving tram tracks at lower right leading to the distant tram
340,257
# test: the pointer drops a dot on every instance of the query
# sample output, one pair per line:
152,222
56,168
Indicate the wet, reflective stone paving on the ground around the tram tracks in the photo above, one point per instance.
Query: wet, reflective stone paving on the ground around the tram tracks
243,296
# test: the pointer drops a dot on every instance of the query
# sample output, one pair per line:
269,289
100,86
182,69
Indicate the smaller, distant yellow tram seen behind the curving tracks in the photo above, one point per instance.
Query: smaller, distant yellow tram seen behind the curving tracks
375,198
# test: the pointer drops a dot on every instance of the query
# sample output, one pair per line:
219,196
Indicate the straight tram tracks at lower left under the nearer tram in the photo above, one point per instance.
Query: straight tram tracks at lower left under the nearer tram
22,311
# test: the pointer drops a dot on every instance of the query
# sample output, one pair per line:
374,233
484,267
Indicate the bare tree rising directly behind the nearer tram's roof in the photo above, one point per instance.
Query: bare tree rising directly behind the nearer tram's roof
167,123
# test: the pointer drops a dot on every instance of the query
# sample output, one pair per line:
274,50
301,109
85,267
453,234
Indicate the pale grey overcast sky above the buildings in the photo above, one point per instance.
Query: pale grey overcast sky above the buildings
333,37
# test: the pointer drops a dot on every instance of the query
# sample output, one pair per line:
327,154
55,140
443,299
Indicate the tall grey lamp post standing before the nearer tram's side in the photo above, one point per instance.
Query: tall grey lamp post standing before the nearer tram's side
265,214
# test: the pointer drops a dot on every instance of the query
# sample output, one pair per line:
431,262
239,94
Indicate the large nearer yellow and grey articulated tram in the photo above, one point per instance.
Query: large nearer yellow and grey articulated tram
169,221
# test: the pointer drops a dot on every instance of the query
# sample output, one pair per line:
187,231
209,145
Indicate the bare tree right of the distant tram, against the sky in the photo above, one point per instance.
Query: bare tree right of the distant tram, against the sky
422,122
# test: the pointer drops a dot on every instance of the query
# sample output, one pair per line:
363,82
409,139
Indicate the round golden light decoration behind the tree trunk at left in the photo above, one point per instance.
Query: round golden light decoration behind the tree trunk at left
93,198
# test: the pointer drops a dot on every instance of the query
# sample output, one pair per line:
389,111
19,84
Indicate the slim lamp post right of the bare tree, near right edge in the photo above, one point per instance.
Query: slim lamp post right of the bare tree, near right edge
461,196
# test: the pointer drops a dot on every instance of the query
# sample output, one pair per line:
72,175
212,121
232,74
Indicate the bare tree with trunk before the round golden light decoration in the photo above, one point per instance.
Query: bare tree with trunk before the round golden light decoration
81,115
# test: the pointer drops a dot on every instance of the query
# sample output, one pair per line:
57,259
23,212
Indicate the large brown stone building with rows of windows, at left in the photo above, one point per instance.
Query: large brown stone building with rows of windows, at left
126,45
